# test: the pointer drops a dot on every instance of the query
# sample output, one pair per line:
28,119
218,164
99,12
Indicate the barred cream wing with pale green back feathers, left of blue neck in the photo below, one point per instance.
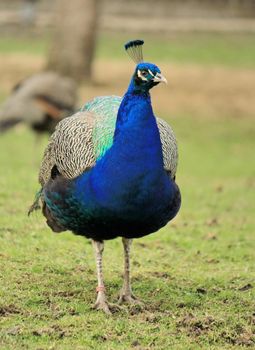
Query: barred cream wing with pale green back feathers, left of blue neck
81,139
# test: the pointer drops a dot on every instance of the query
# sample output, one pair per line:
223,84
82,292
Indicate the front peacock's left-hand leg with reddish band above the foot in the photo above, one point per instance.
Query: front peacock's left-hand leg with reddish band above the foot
101,302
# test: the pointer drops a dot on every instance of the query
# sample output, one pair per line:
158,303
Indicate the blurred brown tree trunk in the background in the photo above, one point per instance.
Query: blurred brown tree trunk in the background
72,48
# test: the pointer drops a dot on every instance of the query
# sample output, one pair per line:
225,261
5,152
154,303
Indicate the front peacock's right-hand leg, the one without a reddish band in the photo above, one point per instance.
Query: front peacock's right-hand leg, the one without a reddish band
126,294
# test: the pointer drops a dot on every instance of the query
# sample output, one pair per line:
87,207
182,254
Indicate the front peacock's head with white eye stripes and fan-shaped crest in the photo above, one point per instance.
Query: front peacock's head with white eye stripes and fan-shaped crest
146,74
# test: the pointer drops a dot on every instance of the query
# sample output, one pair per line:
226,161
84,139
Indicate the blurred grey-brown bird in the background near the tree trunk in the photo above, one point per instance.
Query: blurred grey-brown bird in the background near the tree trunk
40,101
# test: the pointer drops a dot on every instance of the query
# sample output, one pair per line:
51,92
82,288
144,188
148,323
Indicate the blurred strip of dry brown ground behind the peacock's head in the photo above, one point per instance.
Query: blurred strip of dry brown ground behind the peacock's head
192,90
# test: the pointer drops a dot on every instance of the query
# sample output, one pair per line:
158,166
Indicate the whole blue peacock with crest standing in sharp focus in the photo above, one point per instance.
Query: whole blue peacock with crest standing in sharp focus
109,170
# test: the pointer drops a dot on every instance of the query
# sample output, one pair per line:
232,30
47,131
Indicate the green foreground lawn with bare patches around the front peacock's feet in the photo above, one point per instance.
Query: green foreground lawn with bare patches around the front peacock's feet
196,276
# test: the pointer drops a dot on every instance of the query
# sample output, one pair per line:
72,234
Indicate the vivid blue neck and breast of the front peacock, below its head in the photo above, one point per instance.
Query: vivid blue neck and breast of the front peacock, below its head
133,166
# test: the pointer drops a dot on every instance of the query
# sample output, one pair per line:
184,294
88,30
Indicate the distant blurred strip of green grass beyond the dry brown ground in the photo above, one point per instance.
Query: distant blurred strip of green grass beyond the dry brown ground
234,50
